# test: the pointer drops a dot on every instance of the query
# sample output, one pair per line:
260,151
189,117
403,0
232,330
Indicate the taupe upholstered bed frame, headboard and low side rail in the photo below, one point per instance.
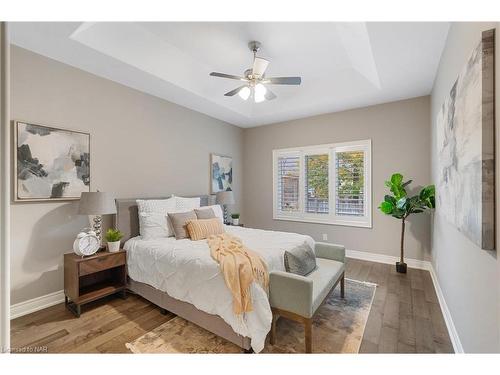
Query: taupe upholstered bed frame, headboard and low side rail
127,221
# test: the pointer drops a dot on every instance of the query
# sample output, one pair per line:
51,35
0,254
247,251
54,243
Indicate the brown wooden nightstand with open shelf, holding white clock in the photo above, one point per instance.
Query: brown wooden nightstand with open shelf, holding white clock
87,279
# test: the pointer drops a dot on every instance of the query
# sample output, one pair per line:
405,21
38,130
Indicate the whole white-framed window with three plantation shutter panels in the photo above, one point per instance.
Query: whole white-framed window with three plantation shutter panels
327,184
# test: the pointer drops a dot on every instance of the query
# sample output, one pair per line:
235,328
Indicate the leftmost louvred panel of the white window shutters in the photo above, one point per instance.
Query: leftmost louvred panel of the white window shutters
288,194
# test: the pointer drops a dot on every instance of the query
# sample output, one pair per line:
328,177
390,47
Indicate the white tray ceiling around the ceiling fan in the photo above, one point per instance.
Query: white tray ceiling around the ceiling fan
342,65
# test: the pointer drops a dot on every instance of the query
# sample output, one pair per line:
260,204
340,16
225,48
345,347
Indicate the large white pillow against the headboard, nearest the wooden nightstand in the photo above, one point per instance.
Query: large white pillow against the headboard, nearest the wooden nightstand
152,221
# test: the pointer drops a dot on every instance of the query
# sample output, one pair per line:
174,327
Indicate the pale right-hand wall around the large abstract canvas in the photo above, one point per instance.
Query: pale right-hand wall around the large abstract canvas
469,277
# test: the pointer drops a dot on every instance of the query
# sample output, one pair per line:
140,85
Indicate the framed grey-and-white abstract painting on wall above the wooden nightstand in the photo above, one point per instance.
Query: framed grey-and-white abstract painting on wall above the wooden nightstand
50,163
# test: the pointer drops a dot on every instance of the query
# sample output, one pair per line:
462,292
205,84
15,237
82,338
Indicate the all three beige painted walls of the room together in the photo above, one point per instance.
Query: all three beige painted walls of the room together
145,146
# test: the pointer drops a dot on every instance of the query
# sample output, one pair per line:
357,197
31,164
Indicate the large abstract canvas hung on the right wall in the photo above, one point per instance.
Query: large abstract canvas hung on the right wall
465,141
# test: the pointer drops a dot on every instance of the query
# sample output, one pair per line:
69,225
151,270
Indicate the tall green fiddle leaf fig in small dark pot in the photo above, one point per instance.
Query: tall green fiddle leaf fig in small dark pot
399,205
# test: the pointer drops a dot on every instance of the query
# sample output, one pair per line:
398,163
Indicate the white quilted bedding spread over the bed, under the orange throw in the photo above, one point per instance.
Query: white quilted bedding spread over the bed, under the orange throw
186,271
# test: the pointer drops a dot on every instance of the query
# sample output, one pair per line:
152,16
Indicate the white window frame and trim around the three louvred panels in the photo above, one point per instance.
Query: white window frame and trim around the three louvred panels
331,218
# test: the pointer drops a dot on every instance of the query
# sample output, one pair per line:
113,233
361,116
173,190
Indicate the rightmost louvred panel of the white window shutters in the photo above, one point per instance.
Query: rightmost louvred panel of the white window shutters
349,189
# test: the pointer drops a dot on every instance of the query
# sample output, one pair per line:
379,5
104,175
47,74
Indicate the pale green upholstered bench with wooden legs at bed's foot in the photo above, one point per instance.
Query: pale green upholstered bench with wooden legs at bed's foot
298,297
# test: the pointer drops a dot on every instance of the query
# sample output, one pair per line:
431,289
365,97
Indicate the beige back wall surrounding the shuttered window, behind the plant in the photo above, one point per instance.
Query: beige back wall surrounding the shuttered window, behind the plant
400,143
